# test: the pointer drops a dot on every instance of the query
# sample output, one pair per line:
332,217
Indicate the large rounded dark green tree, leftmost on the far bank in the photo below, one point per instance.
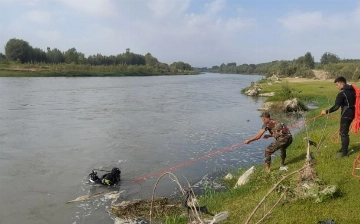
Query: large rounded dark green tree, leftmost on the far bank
18,50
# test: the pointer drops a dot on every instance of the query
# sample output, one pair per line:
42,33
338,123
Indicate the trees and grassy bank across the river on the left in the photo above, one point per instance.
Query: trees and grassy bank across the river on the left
21,59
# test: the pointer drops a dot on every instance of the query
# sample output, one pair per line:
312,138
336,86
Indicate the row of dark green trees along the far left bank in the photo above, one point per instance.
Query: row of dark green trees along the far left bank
20,51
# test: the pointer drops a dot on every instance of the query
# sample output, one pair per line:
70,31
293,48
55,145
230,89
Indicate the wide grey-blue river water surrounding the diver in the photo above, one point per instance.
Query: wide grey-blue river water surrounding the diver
54,131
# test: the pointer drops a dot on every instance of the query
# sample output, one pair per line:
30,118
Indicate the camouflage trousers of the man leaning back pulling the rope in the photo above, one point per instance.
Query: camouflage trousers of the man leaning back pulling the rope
280,143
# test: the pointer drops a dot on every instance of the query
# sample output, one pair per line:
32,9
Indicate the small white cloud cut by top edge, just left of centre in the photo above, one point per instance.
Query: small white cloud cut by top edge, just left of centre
163,8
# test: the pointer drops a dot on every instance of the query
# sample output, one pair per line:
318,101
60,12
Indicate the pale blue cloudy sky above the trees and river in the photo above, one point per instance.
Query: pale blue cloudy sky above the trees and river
202,33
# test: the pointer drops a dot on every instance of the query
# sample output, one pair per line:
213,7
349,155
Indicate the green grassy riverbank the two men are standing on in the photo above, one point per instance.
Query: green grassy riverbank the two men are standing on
342,206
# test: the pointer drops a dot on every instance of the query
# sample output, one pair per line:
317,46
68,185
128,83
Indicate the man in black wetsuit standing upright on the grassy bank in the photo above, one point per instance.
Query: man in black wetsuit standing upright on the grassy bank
346,101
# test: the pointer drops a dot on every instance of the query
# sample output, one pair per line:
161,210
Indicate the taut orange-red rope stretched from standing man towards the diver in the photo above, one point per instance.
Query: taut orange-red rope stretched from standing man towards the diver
211,154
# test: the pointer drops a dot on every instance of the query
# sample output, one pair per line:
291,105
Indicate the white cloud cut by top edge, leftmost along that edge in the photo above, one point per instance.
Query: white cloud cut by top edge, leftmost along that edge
104,8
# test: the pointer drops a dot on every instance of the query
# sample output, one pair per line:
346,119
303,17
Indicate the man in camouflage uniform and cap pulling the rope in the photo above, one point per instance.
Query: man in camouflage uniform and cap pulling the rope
282,137
